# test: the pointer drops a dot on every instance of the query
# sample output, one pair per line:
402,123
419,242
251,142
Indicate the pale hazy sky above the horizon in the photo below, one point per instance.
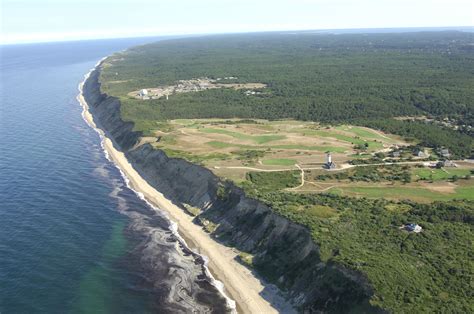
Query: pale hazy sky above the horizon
51,20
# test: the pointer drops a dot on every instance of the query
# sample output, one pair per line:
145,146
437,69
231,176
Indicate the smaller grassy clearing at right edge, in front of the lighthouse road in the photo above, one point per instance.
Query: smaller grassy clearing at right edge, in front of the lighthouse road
396,182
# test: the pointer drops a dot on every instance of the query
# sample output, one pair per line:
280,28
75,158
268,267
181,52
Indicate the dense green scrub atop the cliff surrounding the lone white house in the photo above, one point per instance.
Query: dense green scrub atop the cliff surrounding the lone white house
410,272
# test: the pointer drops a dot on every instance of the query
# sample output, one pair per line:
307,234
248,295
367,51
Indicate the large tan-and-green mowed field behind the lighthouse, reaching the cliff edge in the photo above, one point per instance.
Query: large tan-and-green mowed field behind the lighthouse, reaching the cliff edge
223,145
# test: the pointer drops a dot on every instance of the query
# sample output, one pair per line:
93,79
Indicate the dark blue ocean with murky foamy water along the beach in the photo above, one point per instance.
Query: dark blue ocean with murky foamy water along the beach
73,237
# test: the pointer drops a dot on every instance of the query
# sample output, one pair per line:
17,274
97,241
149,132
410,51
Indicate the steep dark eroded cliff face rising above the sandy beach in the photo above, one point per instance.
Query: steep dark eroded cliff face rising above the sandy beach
283,251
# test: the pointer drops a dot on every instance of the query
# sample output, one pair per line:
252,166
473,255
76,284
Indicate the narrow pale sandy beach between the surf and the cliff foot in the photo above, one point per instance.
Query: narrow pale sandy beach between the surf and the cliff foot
233,278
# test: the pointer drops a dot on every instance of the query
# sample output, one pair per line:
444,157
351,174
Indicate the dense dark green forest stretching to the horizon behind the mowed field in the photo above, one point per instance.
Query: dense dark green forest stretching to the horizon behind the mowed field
310,76
